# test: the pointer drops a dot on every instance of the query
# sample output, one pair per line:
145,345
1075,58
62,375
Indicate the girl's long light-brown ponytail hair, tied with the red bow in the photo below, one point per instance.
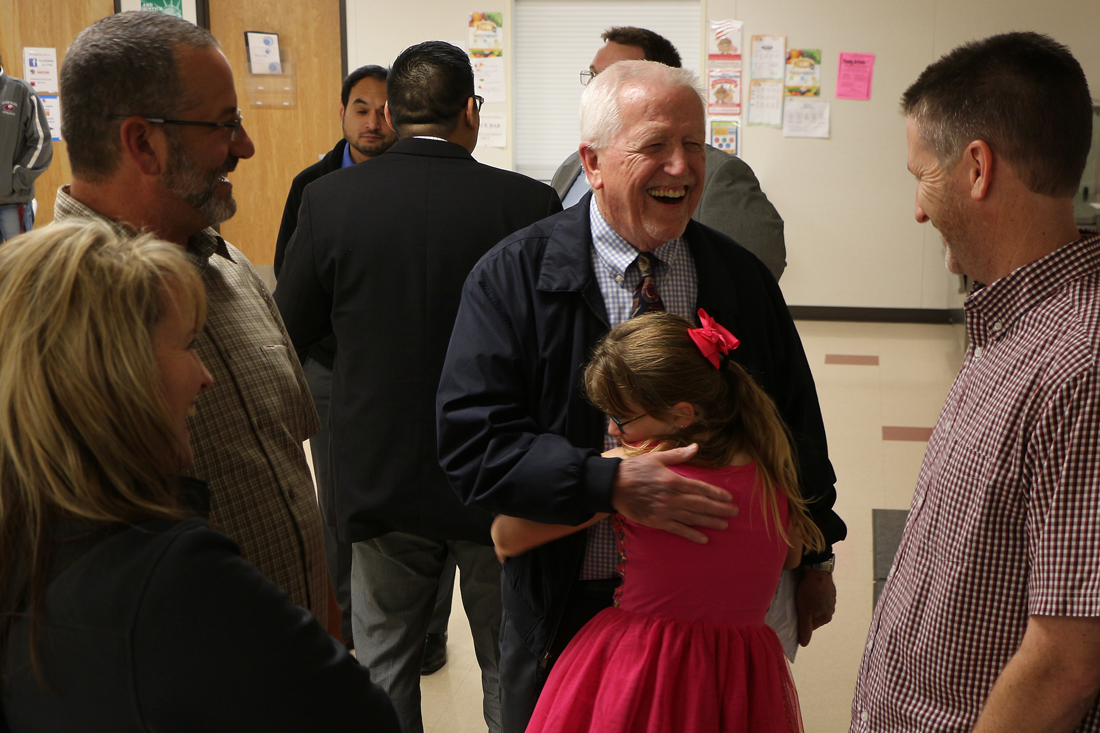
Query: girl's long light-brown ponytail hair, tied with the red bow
650,363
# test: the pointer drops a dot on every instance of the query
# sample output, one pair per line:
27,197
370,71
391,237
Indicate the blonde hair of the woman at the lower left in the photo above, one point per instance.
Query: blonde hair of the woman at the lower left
85,430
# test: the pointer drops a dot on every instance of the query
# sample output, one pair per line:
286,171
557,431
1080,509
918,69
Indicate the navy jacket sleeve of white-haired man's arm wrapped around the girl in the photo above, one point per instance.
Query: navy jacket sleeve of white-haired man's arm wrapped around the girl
496,408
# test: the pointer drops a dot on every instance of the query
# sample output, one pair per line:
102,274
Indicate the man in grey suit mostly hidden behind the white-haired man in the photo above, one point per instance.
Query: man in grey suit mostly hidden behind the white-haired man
732,201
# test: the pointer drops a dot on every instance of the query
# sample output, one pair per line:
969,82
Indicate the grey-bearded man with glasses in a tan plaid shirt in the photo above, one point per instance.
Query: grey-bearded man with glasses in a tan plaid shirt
153,132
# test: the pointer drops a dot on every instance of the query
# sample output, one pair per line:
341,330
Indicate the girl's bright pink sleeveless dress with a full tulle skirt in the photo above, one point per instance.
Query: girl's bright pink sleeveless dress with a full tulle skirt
686,649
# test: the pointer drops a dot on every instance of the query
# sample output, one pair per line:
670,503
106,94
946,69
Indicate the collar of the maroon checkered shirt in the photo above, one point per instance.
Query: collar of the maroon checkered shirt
993,310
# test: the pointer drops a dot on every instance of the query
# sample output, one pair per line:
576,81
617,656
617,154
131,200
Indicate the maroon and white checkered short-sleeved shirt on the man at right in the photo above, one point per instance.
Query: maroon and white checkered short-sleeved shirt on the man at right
1006,518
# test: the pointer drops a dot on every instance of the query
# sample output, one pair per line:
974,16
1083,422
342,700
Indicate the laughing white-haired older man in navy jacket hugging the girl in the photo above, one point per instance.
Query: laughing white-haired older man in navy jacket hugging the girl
516,435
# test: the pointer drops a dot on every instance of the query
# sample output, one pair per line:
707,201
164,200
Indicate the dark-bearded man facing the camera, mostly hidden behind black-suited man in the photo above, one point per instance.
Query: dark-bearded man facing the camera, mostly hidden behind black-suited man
367,136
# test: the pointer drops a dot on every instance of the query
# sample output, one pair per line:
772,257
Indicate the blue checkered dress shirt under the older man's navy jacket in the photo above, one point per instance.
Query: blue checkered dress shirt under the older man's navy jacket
613,260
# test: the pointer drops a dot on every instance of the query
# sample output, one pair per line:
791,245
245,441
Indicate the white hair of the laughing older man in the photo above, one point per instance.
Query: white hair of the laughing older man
601,121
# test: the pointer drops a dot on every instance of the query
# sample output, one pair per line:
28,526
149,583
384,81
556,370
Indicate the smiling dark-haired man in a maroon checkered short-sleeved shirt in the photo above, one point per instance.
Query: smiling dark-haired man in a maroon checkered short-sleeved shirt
991,618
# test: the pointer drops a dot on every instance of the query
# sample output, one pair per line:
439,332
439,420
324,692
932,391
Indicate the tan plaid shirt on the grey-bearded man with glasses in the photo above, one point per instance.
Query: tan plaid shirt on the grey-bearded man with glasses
251,424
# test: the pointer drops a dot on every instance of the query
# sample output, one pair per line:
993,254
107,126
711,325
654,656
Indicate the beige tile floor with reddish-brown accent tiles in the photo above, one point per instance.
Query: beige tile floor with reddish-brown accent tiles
877,418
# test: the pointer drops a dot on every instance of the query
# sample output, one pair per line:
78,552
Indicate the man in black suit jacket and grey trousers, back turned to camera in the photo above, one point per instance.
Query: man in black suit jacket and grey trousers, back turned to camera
380,257
